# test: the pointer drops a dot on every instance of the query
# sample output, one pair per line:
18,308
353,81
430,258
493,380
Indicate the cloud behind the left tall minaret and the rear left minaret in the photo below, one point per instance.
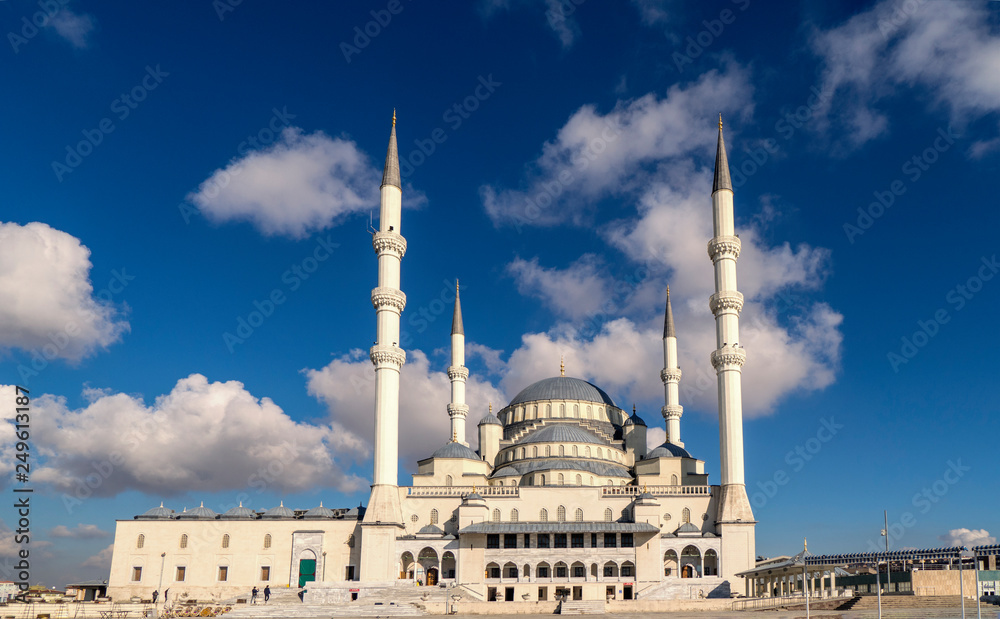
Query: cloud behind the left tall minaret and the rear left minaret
347,386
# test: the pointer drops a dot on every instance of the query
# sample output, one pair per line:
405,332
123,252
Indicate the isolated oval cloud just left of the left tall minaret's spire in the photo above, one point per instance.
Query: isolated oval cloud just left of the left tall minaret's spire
300,184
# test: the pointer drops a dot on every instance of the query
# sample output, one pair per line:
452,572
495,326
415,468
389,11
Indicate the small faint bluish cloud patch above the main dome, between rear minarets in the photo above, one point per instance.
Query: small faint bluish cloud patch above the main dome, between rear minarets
574,292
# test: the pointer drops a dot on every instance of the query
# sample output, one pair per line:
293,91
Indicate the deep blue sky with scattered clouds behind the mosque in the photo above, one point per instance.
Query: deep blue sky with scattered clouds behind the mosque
172,170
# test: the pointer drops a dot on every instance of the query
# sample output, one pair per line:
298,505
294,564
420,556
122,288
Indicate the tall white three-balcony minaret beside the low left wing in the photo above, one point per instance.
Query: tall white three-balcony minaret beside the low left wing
383,518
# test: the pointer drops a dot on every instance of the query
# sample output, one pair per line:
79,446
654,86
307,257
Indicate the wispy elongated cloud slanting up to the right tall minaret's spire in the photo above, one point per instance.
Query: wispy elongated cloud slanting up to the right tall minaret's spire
596,155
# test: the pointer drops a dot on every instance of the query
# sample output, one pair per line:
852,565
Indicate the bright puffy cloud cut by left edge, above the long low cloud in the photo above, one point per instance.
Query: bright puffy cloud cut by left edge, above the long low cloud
47,301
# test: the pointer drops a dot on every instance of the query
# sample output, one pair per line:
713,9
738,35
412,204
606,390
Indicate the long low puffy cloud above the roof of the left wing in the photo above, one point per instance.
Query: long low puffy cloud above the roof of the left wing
201,437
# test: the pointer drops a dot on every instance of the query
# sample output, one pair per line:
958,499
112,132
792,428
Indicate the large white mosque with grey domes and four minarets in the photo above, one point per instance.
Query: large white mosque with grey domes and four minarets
562,497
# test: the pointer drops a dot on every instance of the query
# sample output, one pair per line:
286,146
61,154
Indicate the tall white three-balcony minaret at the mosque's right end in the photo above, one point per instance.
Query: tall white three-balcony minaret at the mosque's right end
735,518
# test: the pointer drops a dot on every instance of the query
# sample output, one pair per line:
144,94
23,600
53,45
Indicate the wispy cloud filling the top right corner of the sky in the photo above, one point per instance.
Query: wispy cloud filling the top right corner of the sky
897,45
